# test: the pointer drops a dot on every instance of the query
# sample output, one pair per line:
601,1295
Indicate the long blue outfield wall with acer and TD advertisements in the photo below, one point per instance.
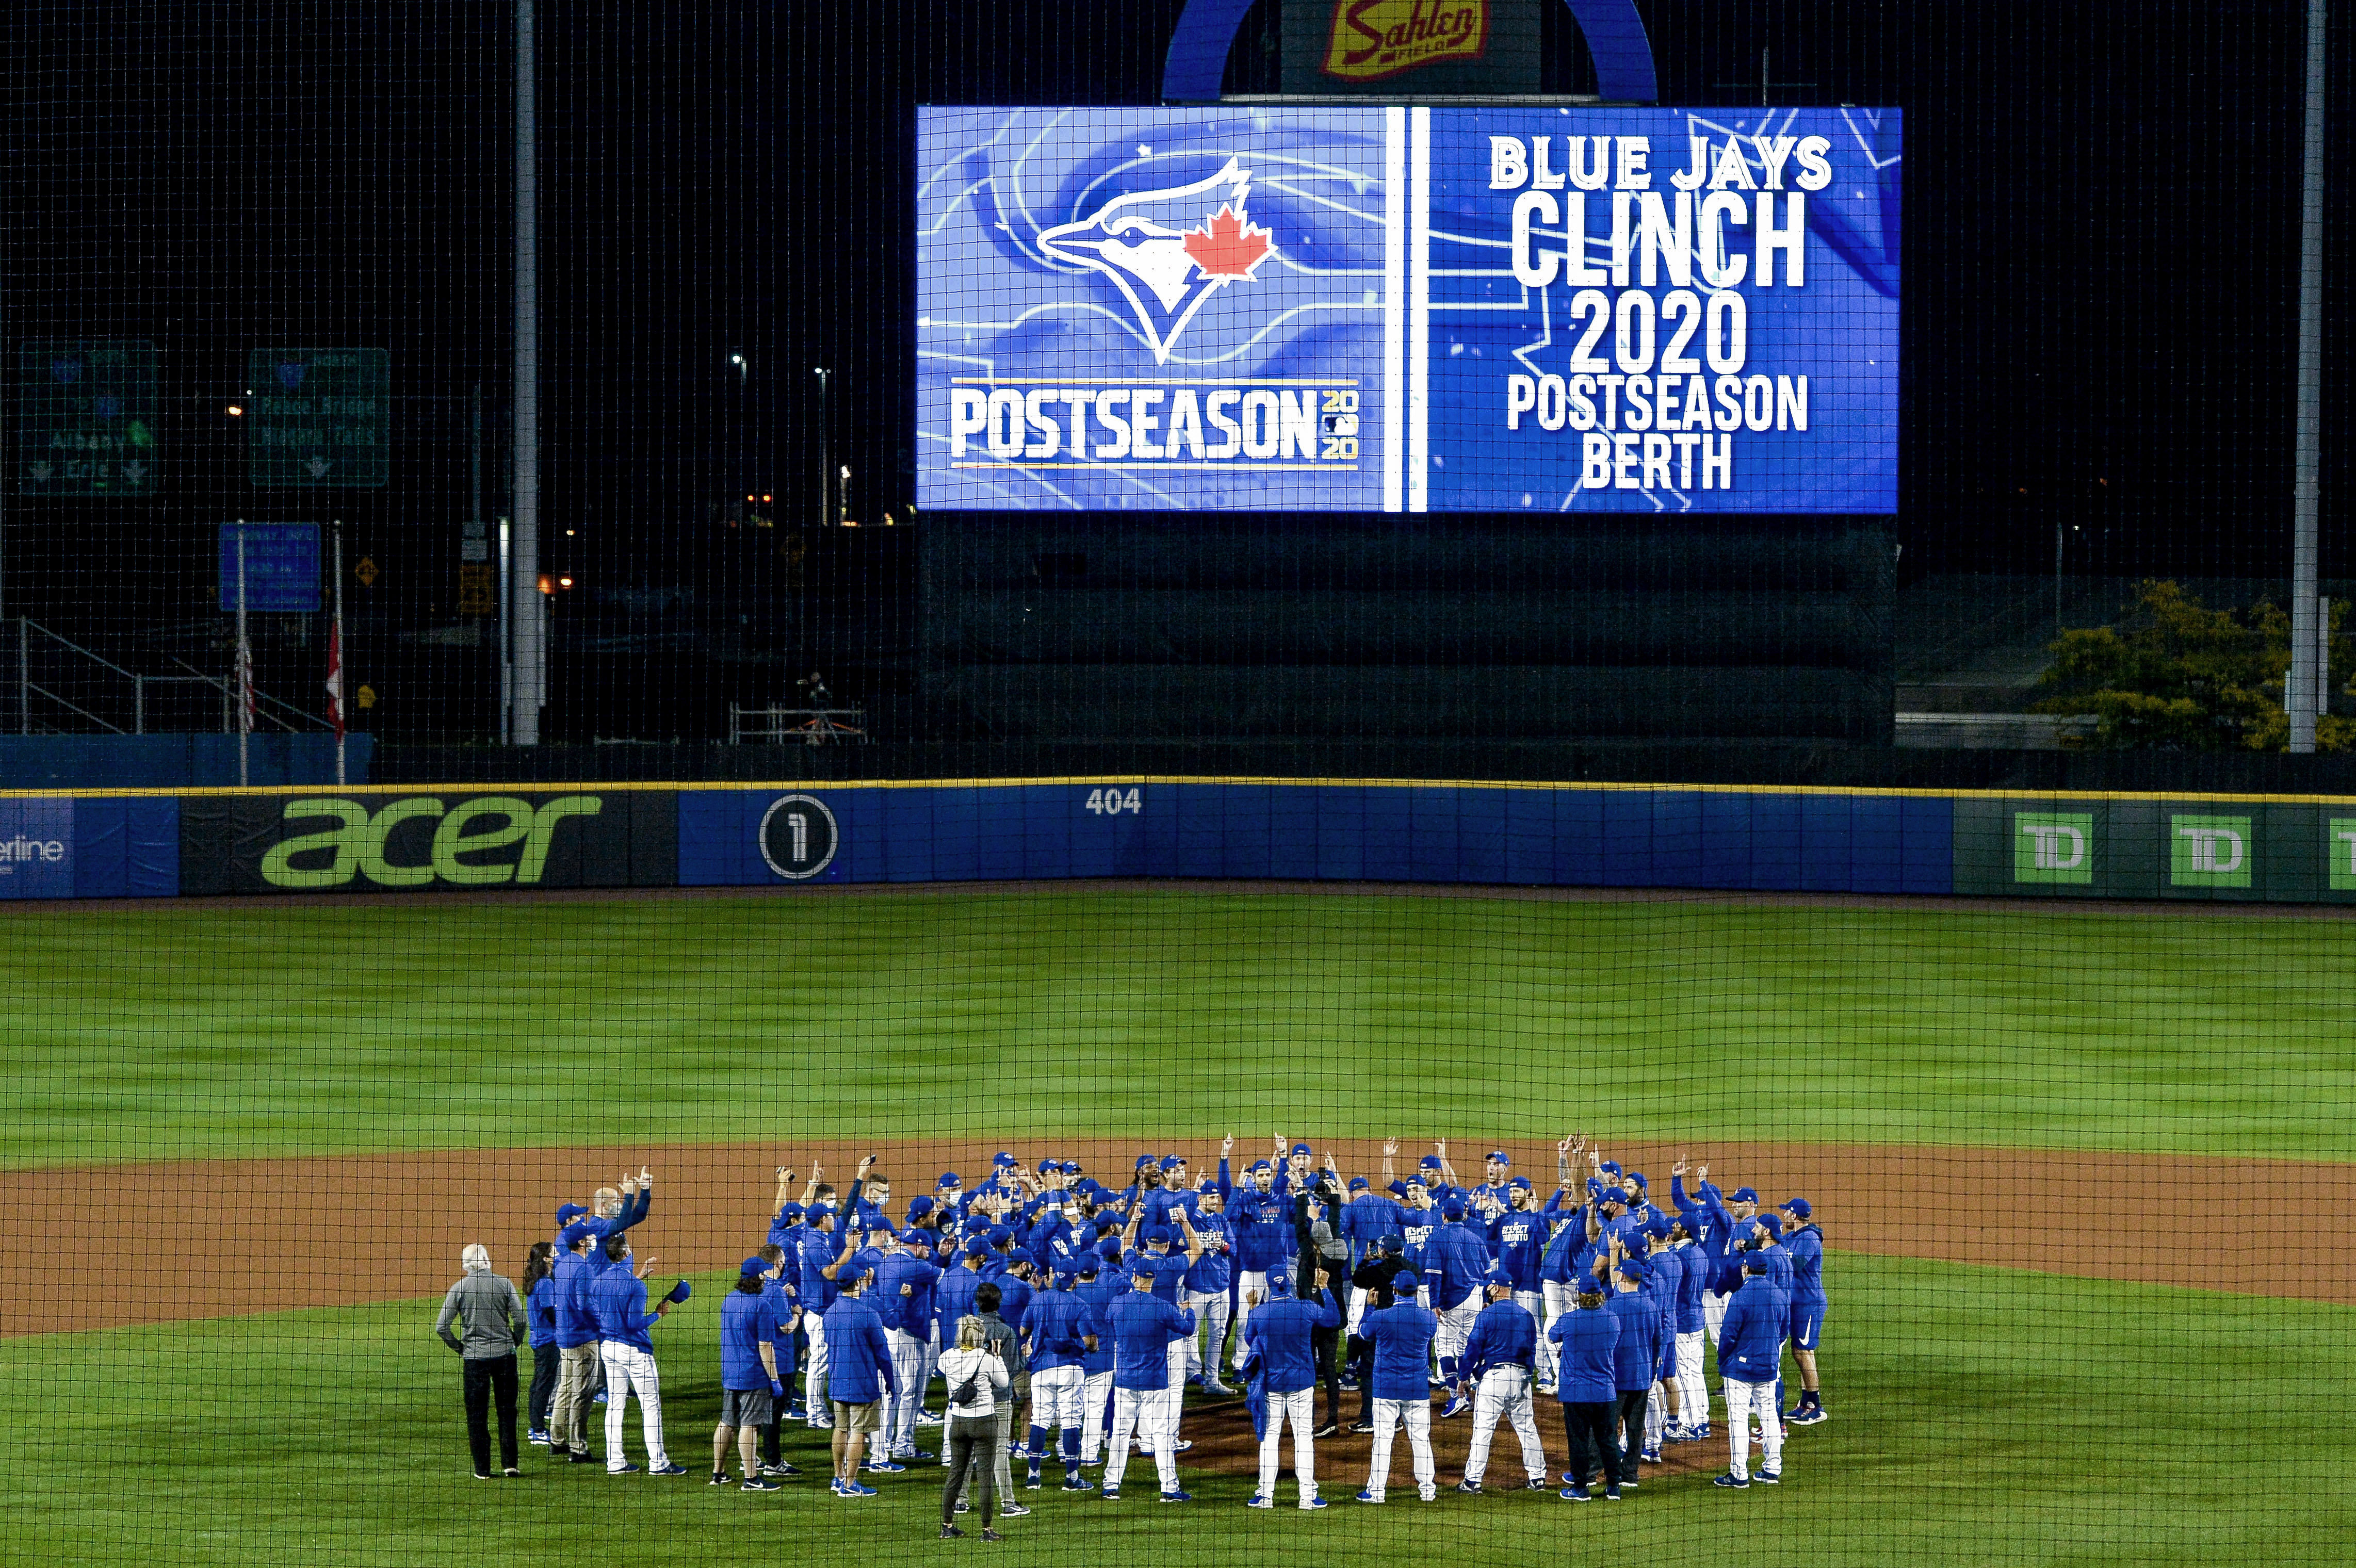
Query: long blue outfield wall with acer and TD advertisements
406,839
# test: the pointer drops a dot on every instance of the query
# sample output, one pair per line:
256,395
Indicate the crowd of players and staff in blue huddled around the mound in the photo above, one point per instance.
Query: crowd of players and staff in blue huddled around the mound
1071,1320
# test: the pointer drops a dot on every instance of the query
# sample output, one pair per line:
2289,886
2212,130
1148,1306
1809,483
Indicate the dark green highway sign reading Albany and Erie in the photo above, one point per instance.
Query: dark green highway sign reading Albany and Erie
86,418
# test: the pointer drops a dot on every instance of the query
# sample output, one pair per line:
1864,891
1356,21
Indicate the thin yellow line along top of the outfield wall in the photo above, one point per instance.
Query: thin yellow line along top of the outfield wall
1156,778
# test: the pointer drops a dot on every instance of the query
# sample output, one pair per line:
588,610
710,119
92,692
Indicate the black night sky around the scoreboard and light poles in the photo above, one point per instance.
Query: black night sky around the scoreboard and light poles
2100,248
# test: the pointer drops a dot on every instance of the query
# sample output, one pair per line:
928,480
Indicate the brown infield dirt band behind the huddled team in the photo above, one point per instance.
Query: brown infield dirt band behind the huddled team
100,1247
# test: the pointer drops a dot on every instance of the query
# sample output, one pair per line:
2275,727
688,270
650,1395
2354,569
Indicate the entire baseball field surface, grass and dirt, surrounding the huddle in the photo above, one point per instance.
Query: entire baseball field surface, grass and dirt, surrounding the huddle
2079,1176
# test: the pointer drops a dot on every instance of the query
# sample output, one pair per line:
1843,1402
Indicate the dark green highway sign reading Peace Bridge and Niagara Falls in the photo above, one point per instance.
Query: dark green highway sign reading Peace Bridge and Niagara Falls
317,418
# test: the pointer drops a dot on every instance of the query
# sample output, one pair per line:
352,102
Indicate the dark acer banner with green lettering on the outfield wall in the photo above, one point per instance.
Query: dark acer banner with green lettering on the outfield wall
395,842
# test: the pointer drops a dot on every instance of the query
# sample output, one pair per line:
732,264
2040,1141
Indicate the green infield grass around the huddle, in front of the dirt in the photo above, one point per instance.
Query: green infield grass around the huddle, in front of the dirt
1980,1418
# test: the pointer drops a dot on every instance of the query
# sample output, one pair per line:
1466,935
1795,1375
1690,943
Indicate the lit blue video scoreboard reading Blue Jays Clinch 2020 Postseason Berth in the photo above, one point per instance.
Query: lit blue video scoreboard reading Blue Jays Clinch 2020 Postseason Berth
1408,310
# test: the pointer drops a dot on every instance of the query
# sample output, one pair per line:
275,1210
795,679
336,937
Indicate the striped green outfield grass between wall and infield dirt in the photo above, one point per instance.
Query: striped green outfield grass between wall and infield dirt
192,1030
